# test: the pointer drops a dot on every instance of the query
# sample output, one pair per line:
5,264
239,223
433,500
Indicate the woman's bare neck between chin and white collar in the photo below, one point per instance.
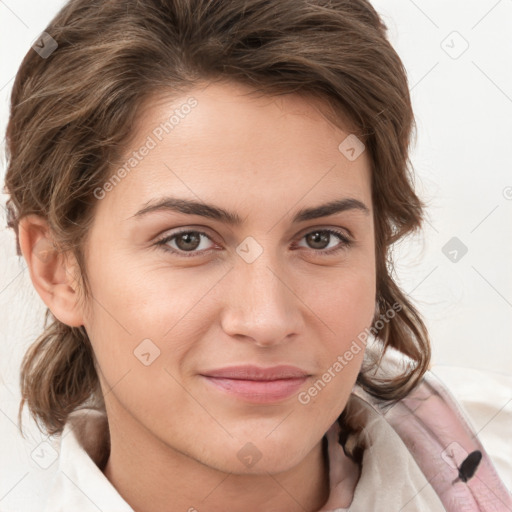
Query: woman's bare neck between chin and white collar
153,477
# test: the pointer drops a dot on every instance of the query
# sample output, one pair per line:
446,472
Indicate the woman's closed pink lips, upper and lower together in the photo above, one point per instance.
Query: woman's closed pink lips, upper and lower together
257,385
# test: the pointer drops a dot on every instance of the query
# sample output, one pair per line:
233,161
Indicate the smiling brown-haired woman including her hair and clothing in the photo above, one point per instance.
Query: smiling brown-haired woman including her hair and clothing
205,194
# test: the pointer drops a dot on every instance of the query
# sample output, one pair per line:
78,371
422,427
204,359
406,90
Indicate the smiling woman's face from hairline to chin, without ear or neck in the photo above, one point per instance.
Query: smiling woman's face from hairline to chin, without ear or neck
254,282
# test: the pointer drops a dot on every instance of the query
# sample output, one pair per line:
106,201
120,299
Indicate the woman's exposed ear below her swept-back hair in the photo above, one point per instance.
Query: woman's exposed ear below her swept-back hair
50,270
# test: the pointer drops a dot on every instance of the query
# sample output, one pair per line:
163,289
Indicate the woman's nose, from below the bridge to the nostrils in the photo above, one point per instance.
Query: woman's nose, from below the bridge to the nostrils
262,307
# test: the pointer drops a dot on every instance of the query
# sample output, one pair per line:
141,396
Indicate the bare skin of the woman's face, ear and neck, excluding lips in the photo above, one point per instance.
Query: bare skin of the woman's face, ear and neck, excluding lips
175,439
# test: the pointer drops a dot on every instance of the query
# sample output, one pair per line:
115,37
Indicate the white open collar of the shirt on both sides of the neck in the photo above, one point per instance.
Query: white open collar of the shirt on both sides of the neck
390,479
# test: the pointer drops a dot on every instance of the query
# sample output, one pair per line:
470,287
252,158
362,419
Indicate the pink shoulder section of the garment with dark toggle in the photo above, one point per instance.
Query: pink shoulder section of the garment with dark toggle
437,433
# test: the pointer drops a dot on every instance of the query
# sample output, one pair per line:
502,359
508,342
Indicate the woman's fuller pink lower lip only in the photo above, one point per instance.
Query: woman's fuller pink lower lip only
258,391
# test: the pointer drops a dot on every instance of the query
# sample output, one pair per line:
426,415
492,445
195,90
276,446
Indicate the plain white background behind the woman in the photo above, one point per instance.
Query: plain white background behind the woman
462,160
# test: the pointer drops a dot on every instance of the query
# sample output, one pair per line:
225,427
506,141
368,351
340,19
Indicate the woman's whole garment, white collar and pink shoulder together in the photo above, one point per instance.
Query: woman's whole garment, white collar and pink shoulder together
413,449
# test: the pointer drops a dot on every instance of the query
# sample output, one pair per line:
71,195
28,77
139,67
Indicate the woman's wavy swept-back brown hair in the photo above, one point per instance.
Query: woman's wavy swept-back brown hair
73,111
